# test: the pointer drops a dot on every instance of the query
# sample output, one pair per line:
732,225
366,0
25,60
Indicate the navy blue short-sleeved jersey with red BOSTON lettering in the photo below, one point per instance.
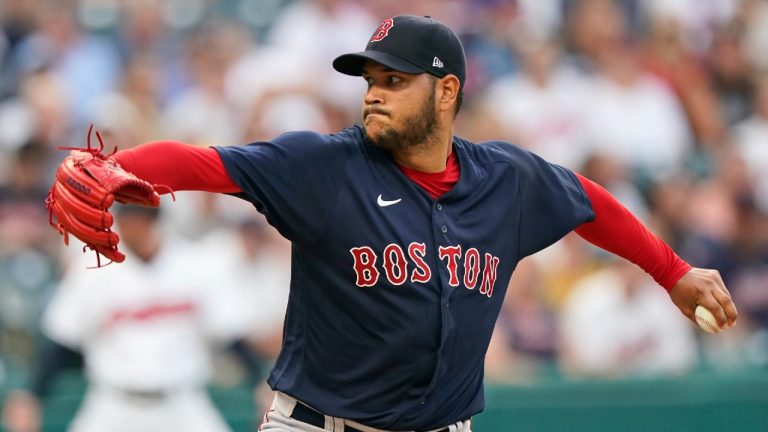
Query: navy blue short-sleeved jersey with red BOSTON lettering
394,294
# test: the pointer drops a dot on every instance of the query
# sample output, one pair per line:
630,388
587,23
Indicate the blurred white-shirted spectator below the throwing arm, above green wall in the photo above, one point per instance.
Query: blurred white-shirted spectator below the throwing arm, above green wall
619,322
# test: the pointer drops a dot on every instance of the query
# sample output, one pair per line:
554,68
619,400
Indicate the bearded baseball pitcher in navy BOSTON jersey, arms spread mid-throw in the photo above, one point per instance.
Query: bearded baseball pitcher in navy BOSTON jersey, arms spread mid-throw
404,237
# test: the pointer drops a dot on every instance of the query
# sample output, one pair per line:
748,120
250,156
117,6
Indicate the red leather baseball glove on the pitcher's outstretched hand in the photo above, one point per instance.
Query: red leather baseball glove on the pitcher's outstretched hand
87,183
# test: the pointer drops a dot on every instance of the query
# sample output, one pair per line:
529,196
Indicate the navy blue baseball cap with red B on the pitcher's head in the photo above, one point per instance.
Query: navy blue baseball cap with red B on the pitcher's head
410,44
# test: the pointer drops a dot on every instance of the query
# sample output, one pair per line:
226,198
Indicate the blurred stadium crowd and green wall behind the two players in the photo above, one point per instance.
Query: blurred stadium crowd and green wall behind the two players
663,102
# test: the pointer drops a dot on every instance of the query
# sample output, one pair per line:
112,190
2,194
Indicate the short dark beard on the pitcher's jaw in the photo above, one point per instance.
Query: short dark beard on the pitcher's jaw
415,129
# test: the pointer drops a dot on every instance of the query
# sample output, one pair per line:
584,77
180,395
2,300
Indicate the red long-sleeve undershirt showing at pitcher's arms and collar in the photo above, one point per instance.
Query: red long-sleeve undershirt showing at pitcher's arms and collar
181,166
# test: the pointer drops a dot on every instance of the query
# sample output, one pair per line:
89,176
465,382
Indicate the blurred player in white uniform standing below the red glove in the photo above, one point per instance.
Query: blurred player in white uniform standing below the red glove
147,330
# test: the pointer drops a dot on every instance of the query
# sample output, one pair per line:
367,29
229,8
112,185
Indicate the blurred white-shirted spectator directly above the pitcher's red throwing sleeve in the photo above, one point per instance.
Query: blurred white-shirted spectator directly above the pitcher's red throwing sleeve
633,116
